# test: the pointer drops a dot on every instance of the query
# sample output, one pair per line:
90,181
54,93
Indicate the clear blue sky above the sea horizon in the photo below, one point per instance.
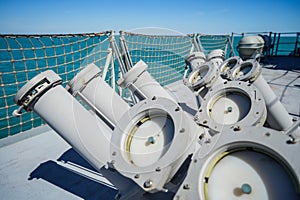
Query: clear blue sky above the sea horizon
186,16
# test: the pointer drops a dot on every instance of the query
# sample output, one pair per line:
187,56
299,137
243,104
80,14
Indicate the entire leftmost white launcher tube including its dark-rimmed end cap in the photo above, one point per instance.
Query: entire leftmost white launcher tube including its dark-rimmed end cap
89,136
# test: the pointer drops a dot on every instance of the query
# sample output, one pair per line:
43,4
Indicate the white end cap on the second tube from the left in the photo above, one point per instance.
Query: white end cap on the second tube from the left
79,82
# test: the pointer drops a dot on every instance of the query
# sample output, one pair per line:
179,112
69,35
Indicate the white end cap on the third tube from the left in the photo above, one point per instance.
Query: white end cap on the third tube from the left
132,75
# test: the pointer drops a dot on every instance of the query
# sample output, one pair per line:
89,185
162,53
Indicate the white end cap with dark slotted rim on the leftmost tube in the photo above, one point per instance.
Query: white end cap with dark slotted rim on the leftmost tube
36,87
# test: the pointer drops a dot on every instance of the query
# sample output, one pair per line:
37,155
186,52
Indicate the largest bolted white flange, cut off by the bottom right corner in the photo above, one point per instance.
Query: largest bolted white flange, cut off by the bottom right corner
253,163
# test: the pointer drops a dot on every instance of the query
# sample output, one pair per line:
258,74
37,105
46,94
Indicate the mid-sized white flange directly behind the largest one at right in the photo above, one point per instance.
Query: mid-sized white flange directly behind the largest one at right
232,105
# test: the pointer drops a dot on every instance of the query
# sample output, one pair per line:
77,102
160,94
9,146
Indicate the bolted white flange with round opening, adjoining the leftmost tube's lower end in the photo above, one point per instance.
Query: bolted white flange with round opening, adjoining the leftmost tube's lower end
151,142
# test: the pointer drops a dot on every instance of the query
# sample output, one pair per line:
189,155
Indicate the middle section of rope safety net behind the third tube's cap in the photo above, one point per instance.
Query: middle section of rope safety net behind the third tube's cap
164,55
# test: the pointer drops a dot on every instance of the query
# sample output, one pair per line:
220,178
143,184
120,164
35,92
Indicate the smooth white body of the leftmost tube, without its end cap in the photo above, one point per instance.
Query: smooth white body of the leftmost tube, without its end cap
84,132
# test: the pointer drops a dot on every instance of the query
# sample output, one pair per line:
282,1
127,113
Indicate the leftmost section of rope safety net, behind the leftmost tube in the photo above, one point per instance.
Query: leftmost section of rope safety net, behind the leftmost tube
24,56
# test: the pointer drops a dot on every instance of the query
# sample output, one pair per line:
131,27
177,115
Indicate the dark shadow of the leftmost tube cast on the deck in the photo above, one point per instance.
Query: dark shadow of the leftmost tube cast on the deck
69,181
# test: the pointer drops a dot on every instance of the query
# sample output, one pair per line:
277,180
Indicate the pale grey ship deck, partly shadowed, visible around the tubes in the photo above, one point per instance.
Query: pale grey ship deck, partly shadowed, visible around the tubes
31,166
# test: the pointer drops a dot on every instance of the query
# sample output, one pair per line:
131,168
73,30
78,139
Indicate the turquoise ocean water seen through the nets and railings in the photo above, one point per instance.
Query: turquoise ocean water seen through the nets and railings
22,58
